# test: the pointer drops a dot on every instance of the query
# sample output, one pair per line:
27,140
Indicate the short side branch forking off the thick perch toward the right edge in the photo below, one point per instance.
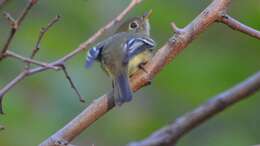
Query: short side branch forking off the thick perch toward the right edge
236,25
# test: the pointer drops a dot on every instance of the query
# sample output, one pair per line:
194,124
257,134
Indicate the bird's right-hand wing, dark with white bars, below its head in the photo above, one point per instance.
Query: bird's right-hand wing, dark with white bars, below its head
136,45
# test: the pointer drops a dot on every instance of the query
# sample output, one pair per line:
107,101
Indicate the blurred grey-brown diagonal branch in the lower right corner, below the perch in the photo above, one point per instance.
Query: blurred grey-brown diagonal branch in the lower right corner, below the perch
170,134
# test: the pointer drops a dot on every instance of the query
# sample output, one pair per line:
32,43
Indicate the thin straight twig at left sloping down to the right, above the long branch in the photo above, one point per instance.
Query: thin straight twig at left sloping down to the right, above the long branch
28,60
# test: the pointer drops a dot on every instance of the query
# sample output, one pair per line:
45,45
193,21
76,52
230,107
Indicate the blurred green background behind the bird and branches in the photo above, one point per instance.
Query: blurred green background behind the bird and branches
215,61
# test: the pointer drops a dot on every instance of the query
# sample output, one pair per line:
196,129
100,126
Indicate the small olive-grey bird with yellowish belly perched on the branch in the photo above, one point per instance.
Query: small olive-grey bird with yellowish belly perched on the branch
116,53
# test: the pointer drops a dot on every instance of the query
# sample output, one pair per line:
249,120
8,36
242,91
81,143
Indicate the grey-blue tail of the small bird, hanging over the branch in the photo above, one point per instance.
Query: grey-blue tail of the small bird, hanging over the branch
122,90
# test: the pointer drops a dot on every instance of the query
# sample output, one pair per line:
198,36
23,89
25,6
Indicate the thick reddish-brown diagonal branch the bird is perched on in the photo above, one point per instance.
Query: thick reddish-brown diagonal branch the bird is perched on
164,55
